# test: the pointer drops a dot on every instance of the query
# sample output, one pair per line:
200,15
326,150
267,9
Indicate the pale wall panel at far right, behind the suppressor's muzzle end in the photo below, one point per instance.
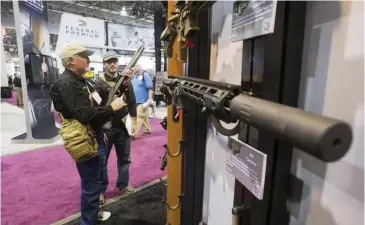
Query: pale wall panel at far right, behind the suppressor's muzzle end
334,46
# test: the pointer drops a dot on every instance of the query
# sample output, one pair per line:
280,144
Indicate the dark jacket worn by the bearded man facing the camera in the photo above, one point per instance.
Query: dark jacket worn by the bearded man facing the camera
130,99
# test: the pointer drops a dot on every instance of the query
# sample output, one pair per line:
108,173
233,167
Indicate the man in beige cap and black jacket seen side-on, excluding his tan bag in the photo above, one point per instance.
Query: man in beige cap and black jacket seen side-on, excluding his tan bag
75,99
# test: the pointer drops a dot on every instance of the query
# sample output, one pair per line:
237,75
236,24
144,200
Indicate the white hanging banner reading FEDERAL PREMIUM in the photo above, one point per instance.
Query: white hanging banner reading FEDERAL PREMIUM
87,31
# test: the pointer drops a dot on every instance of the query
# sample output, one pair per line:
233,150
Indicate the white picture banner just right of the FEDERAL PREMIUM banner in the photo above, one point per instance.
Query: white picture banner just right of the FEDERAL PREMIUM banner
131,38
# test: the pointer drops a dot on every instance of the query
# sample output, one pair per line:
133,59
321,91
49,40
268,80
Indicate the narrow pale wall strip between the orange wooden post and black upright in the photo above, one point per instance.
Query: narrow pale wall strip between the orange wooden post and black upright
226,61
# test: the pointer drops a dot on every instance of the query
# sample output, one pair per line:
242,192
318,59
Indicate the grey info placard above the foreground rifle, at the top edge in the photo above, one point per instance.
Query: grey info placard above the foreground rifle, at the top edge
252,18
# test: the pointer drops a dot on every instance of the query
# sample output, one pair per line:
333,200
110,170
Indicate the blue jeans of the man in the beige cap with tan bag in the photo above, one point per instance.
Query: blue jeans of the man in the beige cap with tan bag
91,174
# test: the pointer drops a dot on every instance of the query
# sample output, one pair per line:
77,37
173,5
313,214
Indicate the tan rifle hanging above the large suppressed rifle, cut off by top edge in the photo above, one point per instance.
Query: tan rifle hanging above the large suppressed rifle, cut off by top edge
182,24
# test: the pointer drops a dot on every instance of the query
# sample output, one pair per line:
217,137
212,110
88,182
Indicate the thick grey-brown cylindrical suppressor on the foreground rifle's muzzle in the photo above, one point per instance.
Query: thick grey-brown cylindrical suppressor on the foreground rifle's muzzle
325,138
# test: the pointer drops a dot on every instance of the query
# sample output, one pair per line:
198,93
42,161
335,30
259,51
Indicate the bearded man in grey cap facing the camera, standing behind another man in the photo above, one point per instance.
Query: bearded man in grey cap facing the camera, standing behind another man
118,134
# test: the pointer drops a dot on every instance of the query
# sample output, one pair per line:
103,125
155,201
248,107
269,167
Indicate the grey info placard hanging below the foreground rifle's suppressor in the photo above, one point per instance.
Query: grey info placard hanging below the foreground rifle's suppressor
248,165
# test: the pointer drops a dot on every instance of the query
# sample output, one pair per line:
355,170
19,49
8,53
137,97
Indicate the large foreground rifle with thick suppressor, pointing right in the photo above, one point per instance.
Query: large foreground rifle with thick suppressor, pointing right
325,138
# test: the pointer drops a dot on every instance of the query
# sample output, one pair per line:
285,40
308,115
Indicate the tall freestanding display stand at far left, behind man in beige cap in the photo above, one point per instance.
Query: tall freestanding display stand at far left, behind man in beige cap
37,77
